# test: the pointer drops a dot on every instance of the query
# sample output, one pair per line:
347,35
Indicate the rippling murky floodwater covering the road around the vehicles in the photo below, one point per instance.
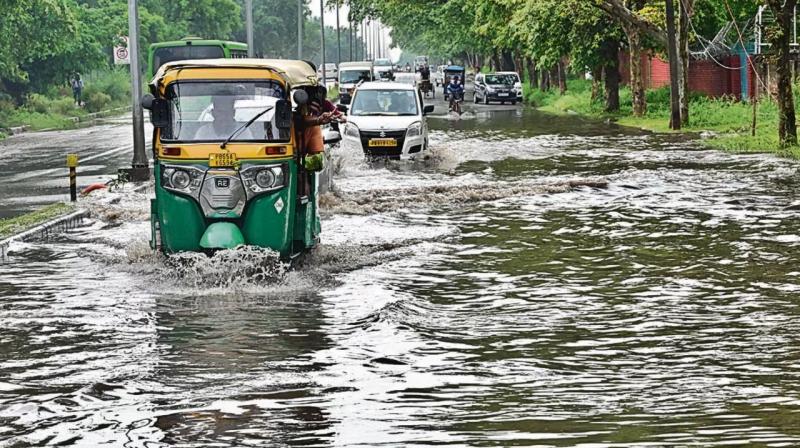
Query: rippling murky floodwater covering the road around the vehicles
540,281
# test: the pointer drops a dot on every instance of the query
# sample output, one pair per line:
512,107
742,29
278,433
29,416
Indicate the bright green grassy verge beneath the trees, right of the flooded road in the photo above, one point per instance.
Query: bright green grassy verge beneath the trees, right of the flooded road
729,121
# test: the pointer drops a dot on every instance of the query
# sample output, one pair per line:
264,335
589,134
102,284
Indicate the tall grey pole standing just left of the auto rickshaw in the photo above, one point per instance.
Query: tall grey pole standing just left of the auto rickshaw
140,171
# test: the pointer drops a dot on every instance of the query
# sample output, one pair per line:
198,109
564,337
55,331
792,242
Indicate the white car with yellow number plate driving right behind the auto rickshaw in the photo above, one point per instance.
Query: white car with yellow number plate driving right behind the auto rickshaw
387,119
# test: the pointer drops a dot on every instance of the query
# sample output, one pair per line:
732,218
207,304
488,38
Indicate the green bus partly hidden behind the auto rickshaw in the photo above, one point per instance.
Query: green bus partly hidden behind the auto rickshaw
191,48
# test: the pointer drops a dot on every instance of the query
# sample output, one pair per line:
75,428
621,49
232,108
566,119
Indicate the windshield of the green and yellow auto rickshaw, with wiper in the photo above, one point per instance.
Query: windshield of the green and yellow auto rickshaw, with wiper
212,111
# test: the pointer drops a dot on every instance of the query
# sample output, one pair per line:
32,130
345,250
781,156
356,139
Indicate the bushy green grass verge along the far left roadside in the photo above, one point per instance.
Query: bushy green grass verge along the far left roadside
53,108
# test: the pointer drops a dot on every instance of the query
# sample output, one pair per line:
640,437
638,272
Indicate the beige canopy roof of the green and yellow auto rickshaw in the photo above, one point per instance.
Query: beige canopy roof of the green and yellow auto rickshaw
295,73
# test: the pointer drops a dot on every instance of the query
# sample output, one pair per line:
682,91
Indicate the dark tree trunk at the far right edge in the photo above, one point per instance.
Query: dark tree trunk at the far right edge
780,40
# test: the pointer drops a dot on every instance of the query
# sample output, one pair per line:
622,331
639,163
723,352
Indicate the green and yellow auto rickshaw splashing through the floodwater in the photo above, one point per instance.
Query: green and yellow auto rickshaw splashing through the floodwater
229,156
